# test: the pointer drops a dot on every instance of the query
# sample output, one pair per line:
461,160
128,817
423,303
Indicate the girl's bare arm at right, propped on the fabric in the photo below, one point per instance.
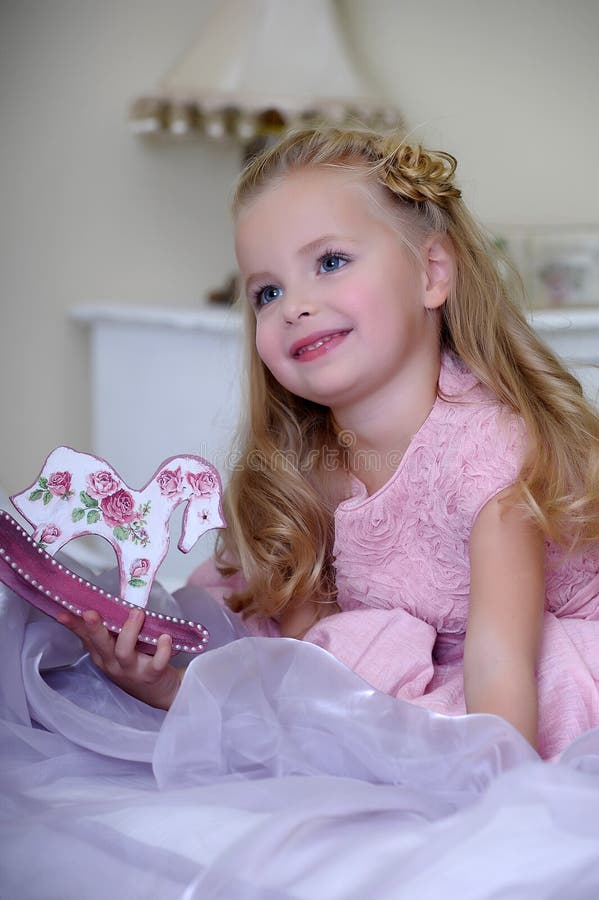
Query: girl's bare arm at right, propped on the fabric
507,593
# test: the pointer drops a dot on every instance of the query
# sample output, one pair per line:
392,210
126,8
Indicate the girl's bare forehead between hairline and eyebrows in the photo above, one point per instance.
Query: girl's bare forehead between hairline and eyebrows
310,197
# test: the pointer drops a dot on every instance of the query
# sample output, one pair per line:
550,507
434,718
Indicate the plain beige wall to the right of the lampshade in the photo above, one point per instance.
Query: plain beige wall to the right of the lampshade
508,87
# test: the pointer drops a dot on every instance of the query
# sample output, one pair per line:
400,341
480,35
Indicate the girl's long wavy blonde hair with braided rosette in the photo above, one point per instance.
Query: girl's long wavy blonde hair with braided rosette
280,503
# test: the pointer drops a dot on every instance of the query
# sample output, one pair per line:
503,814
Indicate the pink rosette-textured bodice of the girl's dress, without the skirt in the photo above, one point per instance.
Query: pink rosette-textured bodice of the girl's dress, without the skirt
407,545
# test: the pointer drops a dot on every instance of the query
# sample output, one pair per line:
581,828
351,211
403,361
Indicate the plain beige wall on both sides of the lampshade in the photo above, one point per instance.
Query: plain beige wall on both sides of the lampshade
91,214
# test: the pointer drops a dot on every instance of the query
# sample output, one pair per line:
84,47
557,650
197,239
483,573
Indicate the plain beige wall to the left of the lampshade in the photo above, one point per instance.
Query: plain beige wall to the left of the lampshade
90,213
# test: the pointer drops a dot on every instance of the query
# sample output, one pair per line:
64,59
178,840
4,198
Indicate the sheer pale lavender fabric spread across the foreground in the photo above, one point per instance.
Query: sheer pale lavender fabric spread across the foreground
278,773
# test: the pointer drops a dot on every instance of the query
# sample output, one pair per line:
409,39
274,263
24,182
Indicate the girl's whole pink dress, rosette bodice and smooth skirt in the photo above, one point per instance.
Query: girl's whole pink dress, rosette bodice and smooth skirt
403,576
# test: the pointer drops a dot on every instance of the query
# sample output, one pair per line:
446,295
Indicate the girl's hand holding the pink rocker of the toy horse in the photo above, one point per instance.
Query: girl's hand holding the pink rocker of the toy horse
148,678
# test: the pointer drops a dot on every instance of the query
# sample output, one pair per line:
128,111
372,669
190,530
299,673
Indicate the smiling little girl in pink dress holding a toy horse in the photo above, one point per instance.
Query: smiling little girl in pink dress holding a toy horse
418,485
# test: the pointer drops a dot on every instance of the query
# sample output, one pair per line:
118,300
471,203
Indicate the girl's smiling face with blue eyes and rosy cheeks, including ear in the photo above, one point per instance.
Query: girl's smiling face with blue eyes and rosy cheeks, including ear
343,309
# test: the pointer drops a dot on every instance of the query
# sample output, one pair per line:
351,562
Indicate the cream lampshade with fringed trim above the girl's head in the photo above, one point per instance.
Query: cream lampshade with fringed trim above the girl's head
258,68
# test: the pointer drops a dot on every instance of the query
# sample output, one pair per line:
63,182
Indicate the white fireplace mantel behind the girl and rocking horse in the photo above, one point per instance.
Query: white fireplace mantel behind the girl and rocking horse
167,381
